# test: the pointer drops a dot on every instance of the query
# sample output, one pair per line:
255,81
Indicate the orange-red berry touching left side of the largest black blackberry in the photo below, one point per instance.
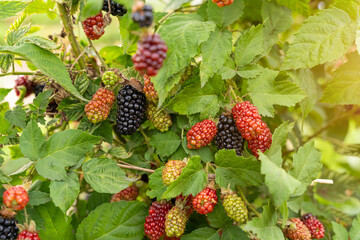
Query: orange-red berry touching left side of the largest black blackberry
99,107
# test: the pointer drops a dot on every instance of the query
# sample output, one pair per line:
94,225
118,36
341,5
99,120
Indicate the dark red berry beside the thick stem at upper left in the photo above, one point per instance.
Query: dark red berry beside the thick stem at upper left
94,27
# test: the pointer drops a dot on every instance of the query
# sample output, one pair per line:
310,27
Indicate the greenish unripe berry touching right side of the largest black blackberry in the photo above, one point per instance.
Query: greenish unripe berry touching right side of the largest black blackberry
159,118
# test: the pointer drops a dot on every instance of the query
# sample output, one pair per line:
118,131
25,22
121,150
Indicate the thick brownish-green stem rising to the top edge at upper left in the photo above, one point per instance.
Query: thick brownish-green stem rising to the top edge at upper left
70,33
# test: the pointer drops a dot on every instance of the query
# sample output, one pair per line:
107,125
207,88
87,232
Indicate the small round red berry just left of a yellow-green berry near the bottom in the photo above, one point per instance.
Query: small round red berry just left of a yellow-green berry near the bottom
205,201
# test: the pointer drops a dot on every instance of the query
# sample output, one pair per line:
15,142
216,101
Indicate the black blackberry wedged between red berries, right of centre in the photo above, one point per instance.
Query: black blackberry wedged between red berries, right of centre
228,136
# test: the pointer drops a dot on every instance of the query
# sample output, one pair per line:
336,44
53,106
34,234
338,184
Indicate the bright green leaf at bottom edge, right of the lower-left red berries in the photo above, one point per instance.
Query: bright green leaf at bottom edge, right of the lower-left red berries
53,224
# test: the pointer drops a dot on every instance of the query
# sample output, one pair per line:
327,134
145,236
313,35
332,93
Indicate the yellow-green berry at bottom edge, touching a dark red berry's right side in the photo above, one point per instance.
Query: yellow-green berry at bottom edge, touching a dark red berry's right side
175,222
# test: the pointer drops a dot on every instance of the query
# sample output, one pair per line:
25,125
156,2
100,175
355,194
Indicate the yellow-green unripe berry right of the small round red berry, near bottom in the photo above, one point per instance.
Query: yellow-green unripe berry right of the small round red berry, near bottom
235,207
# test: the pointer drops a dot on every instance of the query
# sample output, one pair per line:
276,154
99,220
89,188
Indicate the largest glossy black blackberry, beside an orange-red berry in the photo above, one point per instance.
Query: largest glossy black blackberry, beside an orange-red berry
131,112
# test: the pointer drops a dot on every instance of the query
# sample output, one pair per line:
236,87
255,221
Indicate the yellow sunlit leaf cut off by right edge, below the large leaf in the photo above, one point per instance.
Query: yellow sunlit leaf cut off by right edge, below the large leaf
344,87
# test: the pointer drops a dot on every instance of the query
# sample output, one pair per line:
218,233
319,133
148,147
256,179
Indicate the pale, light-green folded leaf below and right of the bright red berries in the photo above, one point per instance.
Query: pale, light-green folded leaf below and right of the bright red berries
281,185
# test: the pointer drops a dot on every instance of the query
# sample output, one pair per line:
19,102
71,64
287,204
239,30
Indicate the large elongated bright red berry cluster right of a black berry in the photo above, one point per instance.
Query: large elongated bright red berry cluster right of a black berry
251,127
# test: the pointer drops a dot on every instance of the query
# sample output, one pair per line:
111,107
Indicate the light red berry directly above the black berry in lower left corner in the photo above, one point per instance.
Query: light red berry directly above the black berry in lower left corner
15,198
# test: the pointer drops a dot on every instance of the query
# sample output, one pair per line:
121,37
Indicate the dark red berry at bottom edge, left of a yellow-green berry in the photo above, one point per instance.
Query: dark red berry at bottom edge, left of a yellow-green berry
155,221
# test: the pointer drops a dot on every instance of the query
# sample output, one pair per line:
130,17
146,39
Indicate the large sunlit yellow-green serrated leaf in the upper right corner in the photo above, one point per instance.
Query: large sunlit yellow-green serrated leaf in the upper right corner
329,29
